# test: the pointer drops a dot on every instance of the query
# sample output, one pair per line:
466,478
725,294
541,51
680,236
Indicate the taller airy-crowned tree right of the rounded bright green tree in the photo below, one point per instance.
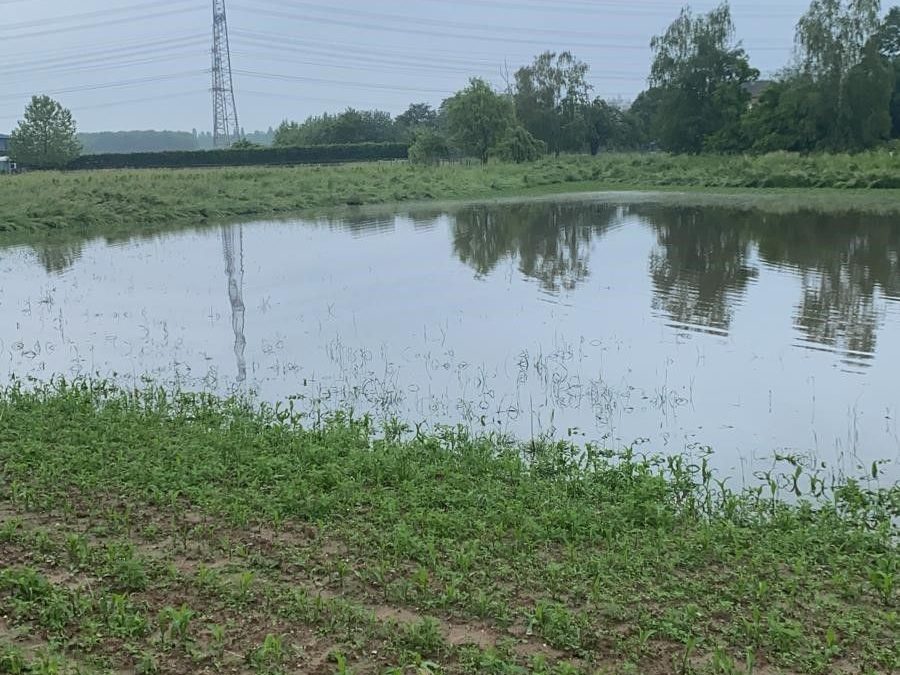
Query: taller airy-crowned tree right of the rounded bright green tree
551,96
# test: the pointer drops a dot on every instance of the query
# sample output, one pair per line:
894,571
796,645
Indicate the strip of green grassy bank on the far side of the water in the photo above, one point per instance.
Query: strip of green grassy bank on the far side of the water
42,202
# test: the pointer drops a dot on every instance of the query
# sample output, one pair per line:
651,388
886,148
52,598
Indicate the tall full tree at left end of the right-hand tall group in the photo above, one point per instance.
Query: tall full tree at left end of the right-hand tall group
701,74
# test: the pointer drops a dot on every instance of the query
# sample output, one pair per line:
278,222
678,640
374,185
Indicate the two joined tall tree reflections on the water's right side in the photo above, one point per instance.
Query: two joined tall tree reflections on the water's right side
700,270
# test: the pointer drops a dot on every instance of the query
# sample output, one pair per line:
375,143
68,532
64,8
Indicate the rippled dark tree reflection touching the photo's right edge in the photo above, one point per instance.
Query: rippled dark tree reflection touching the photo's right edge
843,260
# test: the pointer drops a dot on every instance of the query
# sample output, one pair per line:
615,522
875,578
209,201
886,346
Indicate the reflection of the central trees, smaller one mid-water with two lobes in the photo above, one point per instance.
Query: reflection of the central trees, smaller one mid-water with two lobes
551,241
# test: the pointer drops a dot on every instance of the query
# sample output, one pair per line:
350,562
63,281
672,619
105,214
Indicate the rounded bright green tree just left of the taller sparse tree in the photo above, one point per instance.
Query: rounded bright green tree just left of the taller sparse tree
478,117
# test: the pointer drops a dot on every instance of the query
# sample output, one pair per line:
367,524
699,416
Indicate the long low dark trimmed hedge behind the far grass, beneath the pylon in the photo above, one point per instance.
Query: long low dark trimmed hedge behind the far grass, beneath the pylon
313,154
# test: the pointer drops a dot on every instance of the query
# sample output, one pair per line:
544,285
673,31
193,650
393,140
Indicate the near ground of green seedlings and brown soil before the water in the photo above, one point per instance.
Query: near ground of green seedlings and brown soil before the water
167,533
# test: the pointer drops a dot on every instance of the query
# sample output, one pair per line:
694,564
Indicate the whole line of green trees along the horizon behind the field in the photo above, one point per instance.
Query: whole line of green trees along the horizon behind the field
841,92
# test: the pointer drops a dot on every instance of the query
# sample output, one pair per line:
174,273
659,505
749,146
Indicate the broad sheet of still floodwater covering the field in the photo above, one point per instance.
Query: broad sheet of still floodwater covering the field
670,328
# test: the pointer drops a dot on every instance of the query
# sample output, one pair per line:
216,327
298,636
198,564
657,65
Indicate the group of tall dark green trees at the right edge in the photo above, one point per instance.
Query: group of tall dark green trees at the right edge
841,92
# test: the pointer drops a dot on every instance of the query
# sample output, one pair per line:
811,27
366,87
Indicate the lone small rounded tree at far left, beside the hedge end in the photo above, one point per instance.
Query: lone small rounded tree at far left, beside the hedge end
45,139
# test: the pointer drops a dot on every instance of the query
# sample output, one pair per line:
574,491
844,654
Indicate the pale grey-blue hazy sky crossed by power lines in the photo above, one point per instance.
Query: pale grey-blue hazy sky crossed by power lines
142,64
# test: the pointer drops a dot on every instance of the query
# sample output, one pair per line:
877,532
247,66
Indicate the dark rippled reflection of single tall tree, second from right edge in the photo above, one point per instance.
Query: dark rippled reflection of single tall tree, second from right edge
700,267
